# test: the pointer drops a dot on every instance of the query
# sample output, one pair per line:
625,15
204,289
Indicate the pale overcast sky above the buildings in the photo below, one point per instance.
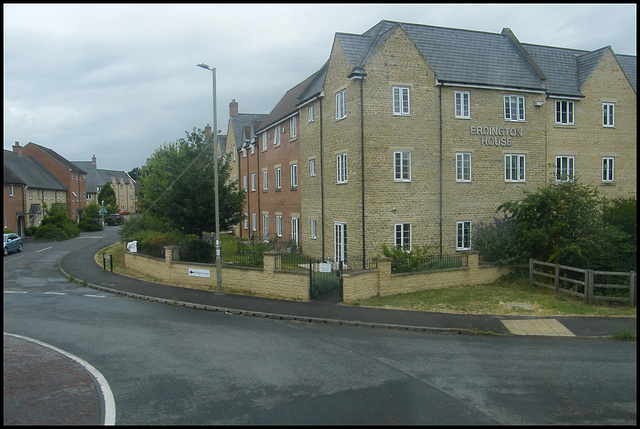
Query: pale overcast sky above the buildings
119,80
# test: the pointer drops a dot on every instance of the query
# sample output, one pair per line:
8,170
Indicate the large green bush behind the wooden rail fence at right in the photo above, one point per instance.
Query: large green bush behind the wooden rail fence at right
565,222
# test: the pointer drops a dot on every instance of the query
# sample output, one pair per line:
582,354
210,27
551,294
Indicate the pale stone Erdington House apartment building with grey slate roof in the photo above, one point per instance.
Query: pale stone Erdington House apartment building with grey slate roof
412,134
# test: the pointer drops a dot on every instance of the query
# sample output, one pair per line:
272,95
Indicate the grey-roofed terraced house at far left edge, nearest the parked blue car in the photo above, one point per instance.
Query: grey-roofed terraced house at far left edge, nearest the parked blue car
28,186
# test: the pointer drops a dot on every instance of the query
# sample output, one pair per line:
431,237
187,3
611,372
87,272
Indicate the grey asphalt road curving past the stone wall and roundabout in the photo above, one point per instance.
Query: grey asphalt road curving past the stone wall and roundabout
169,365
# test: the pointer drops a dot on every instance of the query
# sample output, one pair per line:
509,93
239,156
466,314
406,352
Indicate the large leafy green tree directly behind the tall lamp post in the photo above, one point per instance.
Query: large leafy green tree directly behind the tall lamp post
178,184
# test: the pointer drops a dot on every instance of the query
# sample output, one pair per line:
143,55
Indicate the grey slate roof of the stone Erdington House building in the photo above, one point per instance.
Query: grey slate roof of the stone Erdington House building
488,59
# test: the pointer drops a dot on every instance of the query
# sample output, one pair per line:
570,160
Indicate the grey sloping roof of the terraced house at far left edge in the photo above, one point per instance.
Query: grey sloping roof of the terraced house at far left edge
28,171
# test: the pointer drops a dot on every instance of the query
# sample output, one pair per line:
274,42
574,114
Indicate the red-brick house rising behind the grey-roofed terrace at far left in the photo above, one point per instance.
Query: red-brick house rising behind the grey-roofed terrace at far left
71,176
